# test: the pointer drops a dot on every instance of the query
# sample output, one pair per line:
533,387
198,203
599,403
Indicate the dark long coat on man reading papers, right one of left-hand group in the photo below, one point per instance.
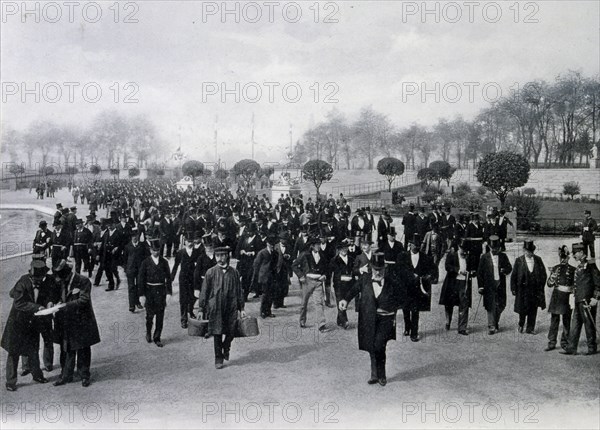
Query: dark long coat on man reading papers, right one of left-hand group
75,325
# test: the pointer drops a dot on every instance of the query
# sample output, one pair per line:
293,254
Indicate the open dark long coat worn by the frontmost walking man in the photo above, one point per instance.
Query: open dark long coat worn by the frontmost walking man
368,305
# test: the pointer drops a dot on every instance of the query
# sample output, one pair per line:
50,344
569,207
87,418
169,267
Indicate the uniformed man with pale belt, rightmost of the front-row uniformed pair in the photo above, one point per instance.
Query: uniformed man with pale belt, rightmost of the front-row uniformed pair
586,293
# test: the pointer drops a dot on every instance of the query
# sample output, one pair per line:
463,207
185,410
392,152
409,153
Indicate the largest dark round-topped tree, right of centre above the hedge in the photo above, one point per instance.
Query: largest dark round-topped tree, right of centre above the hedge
502,172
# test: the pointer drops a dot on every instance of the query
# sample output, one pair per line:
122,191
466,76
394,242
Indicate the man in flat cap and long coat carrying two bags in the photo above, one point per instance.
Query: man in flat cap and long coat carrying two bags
221,302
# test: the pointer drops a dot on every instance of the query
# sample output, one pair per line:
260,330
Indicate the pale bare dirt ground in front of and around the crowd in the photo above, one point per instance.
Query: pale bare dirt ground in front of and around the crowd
300,378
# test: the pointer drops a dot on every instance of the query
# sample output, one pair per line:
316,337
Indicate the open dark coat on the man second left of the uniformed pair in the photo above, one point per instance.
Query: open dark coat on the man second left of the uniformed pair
485,280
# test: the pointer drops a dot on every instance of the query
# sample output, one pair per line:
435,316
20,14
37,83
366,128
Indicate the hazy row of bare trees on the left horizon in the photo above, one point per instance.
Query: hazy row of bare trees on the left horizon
117,140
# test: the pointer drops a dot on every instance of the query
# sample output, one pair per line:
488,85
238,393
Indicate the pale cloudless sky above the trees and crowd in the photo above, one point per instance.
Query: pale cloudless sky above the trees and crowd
372,54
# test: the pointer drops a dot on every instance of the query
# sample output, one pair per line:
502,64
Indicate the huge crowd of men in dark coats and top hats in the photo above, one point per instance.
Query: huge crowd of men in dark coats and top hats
158,234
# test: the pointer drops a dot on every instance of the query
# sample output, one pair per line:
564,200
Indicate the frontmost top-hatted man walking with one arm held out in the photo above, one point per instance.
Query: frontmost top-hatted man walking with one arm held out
380,299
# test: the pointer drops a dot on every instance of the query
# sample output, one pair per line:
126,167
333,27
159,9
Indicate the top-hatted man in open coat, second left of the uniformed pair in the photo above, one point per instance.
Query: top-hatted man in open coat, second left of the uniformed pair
492,271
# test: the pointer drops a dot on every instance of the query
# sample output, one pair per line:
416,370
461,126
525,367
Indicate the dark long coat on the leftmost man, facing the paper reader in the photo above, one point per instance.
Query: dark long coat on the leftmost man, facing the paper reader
22,330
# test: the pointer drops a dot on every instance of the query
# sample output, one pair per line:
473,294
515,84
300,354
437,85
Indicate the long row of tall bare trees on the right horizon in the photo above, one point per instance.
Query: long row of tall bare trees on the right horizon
545,122
